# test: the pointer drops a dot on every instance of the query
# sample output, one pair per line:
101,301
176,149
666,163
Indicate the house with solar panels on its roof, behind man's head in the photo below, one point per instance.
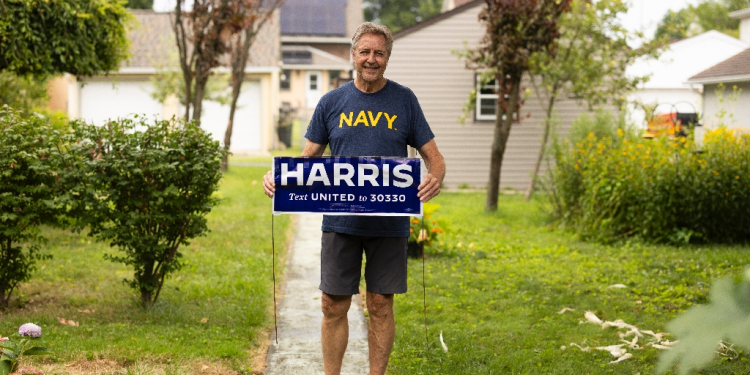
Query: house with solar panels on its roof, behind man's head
315,49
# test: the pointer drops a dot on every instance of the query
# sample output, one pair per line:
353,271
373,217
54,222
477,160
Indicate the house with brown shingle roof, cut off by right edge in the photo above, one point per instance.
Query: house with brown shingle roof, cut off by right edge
726,86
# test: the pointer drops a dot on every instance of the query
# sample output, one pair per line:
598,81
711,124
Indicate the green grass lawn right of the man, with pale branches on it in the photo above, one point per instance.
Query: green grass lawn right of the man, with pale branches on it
496,282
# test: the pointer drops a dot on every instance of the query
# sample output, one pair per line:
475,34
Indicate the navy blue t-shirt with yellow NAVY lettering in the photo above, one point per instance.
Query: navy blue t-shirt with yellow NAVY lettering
356,123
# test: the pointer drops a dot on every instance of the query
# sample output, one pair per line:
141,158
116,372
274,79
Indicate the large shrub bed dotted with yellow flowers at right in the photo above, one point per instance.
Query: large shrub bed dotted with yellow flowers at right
662,190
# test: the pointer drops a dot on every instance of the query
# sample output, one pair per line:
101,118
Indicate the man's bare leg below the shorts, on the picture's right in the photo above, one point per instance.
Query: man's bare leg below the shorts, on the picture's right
382,331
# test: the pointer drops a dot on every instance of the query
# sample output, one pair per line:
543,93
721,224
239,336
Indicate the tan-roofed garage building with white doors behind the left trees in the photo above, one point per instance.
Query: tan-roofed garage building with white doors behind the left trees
128,91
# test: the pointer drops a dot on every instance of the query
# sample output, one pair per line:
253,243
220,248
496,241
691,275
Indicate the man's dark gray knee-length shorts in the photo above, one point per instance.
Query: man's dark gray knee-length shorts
341,264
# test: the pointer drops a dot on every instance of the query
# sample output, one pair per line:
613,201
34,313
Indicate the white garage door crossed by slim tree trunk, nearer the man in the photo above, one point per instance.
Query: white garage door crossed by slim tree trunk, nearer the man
246,133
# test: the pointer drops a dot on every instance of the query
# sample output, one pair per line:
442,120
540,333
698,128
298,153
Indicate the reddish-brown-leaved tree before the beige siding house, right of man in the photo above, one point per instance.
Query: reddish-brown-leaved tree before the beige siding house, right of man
514,29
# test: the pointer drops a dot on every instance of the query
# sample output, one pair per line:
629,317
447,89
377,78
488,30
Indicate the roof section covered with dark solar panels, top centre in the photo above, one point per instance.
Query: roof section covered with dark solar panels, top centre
313,17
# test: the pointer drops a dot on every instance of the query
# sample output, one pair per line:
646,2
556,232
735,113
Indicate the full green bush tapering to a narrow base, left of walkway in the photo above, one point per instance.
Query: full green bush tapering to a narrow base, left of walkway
146,189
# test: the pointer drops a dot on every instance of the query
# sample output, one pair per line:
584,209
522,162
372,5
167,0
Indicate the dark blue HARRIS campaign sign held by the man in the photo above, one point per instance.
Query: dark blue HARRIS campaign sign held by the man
347,186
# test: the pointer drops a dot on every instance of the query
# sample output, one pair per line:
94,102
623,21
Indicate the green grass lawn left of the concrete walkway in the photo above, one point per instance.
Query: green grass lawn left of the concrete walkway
215,312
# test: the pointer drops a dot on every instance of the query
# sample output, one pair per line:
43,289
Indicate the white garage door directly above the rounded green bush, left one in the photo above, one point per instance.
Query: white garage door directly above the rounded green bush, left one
102,101
